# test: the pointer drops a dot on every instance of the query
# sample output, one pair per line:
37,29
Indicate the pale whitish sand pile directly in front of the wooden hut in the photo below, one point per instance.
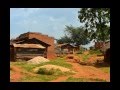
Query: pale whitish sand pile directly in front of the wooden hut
37,60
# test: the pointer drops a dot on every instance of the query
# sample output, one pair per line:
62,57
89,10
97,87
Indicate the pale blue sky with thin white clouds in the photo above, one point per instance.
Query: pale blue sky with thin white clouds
49,21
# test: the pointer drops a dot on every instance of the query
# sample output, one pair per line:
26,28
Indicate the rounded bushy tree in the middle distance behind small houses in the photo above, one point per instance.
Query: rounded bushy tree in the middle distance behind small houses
75,36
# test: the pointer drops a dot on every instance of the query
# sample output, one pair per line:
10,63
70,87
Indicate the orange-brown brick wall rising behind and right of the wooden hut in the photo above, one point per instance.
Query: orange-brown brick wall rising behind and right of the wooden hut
48,40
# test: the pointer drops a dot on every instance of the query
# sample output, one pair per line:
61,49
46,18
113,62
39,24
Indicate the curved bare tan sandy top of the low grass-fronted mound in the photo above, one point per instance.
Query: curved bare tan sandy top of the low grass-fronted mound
49,67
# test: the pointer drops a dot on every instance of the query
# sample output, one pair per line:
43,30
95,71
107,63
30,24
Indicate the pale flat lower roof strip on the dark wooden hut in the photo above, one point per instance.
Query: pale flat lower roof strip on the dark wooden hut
29,46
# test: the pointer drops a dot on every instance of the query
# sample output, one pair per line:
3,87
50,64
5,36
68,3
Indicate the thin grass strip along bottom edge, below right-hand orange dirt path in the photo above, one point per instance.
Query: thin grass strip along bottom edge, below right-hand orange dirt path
71,79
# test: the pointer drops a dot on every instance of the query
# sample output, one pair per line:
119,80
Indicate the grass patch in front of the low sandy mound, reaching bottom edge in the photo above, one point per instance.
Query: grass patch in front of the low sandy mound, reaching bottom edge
43,76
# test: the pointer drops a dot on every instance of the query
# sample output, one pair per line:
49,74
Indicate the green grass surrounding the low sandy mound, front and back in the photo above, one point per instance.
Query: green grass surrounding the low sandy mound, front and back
41,77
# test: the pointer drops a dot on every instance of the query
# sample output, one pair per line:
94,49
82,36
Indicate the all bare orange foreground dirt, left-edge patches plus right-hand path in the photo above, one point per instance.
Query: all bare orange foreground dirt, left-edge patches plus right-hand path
82,72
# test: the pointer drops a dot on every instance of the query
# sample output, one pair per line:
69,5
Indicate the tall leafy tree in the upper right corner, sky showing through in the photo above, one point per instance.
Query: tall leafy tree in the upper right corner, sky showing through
97,22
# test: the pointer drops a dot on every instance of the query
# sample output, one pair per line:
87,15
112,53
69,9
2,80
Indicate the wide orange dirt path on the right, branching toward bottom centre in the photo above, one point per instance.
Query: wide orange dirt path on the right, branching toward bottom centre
85,72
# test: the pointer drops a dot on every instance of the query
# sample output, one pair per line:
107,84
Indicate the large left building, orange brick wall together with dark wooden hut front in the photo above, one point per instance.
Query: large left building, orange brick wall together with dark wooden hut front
31,44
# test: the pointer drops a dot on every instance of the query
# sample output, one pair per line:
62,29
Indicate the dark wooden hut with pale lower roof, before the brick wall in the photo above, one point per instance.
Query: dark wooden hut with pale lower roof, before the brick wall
27,49
